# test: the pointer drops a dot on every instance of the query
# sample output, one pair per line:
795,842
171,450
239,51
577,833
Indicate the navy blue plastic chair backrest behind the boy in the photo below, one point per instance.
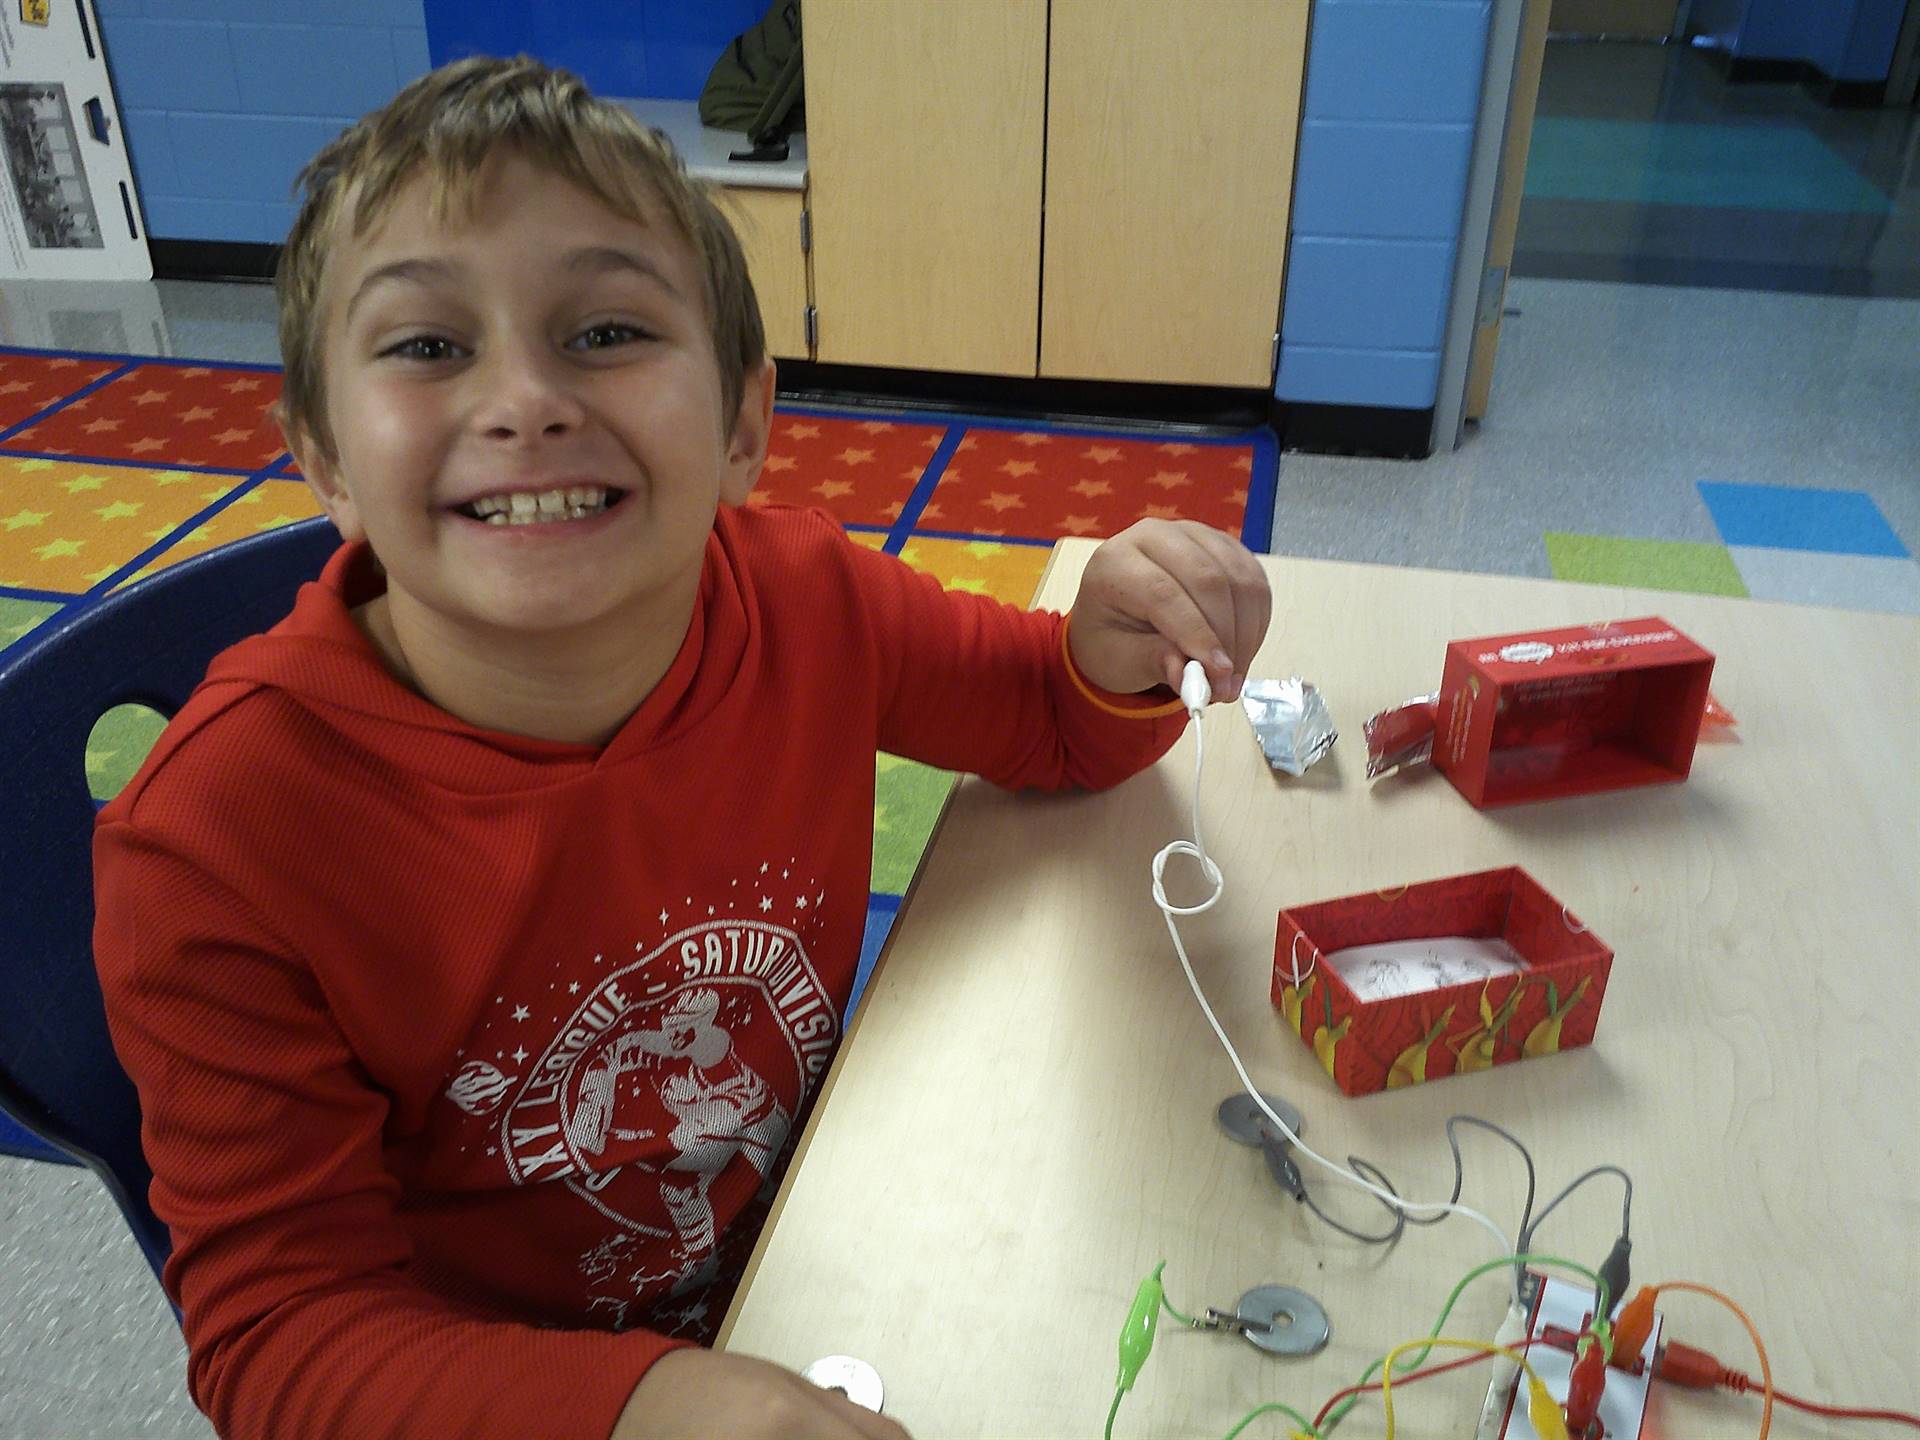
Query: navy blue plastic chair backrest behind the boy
149,644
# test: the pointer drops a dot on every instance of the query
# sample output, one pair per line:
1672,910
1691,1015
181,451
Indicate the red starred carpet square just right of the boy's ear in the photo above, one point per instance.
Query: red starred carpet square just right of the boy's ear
863,471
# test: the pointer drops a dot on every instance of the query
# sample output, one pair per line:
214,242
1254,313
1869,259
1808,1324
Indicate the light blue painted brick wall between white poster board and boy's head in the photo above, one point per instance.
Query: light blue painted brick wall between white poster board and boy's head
224,101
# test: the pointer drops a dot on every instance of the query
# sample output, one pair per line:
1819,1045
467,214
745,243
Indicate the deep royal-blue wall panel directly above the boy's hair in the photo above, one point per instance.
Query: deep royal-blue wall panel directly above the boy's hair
646,49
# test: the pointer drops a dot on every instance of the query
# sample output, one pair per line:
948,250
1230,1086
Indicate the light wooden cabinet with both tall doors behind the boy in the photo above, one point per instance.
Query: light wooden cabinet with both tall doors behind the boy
1166,137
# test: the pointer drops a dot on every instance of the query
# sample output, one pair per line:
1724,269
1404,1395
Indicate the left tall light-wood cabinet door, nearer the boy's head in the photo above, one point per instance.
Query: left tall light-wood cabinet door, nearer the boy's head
924,130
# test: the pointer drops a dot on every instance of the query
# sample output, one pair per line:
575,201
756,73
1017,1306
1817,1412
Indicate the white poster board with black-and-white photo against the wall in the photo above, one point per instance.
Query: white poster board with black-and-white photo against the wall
68,206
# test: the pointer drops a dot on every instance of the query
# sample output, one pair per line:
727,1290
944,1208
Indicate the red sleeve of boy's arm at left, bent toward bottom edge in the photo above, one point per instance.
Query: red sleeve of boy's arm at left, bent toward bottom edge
266,1141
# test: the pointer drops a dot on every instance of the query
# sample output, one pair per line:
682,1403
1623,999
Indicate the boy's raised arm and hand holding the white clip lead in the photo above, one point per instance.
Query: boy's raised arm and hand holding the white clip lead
1030,698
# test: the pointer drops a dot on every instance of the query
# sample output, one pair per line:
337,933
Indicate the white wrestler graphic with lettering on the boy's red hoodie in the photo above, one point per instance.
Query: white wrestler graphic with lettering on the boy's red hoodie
665,1074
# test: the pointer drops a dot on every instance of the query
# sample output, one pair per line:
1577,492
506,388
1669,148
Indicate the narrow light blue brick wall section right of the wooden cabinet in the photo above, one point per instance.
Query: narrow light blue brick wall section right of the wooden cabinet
1385,141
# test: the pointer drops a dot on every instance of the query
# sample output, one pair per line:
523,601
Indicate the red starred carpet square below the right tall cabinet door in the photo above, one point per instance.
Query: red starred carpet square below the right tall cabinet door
1045,487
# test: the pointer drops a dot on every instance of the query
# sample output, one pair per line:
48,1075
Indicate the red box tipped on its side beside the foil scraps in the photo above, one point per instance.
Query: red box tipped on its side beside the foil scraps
1556,713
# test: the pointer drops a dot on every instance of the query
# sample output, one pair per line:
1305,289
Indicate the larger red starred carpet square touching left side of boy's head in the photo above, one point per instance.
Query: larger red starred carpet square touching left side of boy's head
170,414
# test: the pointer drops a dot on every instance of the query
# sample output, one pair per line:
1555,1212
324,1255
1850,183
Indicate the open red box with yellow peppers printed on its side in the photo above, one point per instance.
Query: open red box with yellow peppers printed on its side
1374,1045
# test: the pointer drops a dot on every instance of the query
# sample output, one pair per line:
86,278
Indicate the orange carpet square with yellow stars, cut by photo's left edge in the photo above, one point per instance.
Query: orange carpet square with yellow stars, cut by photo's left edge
68,527
